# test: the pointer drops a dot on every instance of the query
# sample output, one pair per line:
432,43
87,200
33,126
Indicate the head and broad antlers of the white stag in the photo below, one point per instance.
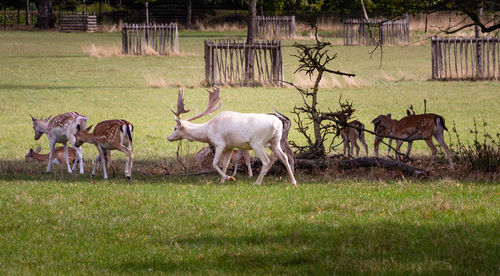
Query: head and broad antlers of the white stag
180,126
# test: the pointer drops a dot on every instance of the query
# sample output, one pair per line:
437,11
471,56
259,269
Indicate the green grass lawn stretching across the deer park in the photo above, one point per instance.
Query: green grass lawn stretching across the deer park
163,222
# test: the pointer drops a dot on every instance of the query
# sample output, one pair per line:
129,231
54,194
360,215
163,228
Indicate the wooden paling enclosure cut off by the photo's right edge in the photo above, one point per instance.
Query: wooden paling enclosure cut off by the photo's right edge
457,58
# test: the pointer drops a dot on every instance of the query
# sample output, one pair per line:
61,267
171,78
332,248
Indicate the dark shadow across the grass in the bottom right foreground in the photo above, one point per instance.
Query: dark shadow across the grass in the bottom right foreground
325,249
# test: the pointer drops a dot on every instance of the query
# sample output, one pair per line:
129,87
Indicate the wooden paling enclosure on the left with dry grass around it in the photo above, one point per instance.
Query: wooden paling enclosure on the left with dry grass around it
141,39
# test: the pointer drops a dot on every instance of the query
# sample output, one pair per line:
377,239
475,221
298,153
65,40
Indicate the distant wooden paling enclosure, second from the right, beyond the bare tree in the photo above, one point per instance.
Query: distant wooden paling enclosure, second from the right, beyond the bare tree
362,32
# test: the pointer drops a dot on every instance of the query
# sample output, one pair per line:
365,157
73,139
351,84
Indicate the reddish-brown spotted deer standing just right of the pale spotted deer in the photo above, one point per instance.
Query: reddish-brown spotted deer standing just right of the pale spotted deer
109,135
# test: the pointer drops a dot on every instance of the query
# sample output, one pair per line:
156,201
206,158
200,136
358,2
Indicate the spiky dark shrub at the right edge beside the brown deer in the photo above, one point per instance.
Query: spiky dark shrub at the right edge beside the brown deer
482,154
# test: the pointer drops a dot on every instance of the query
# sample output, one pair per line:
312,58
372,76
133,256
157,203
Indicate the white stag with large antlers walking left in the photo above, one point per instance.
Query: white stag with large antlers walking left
229,130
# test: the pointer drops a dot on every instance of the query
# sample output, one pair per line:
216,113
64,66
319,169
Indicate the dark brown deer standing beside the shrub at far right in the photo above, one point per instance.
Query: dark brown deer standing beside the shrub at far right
421,127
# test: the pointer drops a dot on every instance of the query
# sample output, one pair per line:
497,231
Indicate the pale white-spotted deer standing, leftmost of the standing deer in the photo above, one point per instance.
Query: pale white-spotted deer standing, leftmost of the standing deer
61,129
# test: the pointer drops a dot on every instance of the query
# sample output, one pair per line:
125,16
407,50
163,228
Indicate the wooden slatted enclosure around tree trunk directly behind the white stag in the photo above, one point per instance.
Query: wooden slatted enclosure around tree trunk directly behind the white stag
225,63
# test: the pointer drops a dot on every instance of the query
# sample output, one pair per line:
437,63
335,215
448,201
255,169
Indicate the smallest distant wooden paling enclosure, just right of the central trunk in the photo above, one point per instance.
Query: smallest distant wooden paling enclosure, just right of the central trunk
275,26
